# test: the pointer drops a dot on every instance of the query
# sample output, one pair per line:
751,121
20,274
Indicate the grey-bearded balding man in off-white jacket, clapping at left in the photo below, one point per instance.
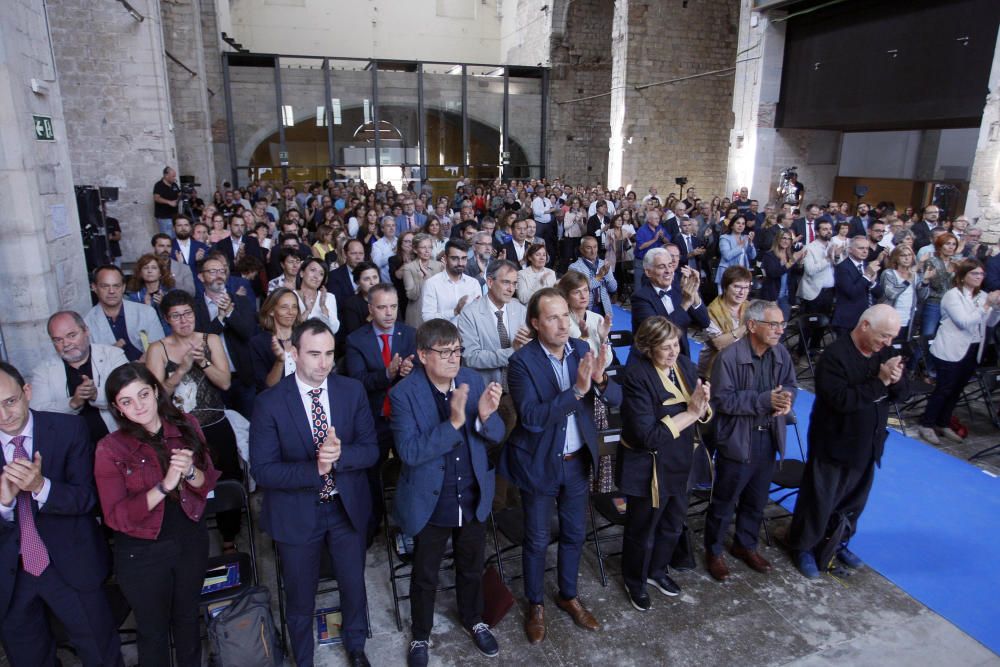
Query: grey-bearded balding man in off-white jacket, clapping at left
73,384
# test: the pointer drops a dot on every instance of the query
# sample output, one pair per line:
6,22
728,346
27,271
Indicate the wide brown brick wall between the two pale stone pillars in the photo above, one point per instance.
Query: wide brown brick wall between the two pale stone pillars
678,129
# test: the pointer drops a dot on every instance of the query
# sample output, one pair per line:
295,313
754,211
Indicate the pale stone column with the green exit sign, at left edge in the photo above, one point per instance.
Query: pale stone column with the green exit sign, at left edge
42,267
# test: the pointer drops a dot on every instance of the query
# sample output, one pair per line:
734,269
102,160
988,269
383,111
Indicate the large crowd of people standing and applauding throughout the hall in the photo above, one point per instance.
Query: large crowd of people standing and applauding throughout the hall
469,337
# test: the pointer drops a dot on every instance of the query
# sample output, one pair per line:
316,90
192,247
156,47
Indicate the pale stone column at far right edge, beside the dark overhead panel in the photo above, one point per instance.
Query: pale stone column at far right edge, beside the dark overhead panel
984,184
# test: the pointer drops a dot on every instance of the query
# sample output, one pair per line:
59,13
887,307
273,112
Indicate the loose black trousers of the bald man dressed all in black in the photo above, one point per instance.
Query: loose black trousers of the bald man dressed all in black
828,490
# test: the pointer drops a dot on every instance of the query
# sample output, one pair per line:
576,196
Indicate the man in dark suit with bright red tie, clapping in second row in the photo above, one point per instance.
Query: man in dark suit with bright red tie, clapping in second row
379,355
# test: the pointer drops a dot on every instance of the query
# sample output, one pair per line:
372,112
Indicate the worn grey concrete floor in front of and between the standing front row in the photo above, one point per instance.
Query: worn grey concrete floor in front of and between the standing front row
752,619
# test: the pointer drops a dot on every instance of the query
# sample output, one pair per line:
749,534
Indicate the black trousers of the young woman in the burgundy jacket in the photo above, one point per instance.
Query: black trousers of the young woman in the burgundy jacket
162,579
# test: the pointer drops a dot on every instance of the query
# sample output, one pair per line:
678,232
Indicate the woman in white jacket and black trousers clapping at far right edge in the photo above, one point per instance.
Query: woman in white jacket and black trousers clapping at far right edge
966,313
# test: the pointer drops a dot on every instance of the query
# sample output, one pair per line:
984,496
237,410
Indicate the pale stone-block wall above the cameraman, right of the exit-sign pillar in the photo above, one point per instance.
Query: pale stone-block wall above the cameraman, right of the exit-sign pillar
117,105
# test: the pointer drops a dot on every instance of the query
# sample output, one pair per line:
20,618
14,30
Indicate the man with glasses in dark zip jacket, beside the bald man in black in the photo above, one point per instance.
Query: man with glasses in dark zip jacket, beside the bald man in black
753,388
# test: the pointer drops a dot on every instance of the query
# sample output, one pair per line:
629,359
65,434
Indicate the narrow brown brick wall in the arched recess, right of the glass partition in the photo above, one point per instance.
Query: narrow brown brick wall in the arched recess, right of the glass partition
581,67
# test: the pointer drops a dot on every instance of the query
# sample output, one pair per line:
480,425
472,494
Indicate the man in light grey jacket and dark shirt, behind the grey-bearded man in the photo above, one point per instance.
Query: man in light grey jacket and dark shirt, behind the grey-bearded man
118,321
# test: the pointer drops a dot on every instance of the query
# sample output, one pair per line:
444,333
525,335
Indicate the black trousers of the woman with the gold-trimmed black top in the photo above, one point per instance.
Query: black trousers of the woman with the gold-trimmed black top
650,537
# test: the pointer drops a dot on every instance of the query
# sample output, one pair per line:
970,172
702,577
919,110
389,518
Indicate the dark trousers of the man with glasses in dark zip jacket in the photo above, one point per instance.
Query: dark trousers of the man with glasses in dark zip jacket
740,487
